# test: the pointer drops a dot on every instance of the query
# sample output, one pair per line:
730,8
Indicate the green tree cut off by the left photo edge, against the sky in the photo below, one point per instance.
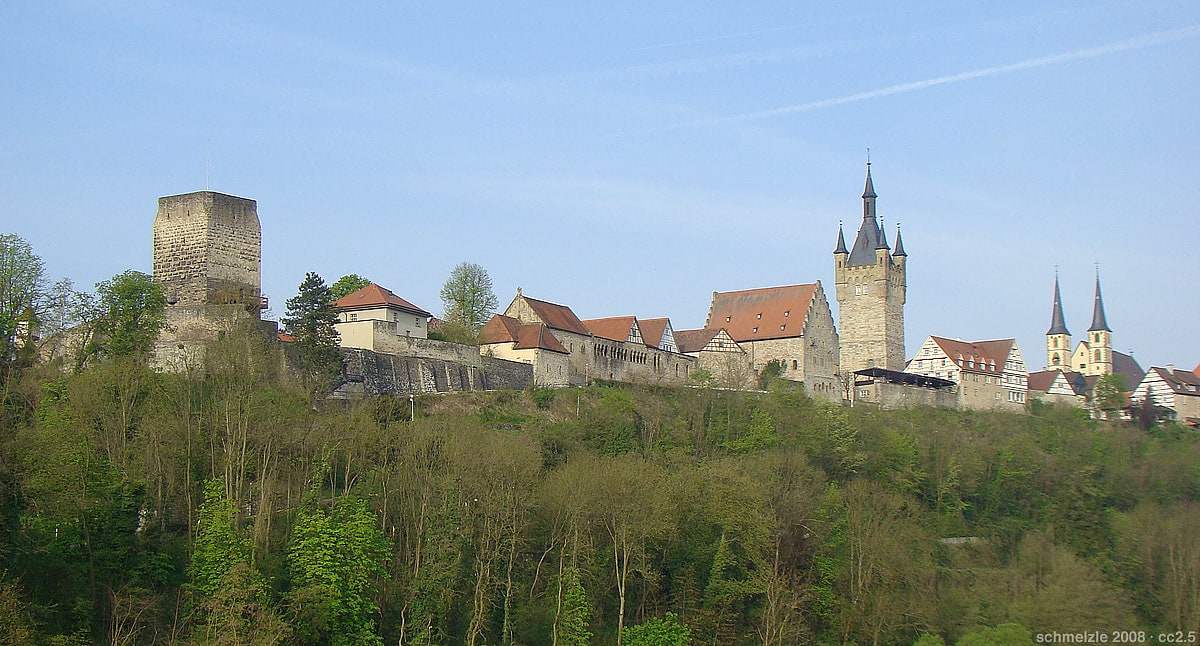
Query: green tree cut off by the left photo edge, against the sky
22,283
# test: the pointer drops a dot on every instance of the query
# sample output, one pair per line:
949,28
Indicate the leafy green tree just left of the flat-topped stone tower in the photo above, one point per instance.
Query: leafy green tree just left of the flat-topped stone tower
131,315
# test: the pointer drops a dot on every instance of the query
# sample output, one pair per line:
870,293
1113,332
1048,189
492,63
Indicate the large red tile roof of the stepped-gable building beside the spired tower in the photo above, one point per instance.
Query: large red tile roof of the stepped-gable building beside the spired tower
769,313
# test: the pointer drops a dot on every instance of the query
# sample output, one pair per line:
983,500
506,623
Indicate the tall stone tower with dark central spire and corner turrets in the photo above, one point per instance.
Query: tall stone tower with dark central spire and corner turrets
872,285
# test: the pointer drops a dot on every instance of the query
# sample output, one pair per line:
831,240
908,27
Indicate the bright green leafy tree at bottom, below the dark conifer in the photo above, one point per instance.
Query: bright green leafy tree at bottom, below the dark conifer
335,558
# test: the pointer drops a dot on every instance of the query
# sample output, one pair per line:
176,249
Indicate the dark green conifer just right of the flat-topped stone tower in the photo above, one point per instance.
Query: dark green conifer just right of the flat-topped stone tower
311,319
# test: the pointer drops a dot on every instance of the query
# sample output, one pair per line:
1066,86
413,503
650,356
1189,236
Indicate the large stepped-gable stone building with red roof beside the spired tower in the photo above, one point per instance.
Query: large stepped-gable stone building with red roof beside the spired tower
791,326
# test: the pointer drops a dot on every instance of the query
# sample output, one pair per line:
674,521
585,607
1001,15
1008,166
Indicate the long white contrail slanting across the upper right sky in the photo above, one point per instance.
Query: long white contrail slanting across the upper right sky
1139,43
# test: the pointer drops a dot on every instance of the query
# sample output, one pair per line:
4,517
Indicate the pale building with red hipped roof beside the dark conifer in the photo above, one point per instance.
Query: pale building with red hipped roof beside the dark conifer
373,314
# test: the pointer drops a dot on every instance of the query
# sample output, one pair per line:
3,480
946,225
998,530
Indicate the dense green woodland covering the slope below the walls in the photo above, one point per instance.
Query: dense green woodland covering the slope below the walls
236,505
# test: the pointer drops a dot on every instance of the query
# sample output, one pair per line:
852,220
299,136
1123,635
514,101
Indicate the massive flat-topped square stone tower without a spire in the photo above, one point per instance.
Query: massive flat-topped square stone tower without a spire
207,258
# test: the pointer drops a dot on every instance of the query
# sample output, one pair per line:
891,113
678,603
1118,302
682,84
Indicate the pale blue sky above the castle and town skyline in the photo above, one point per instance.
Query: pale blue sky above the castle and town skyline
632,158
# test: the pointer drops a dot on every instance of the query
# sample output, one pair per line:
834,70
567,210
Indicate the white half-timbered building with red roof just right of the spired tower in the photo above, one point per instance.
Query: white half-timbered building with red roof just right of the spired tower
991,375
